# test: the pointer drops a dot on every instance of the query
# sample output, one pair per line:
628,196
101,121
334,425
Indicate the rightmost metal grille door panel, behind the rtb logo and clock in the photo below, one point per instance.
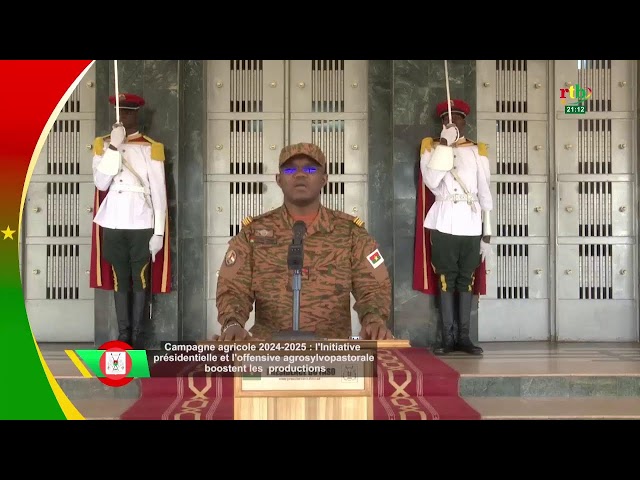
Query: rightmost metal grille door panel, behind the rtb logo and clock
595,166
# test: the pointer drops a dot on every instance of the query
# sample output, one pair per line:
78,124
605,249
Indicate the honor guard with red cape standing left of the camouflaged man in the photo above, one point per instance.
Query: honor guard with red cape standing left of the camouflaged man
130,250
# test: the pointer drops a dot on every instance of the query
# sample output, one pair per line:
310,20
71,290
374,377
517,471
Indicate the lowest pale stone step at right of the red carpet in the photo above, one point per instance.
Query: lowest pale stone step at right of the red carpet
554,408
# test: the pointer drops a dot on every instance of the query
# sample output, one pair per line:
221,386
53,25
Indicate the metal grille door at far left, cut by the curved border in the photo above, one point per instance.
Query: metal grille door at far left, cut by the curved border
57,225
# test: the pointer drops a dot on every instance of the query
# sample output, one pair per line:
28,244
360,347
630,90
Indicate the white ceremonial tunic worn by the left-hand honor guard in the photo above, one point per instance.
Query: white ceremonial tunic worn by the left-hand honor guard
128,205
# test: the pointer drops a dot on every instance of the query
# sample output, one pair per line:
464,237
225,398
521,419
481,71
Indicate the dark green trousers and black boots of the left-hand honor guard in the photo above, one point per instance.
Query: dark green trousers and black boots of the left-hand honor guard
128,253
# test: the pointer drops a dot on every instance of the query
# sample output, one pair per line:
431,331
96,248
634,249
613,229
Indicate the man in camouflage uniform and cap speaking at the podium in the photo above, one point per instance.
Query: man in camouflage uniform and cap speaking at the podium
340,258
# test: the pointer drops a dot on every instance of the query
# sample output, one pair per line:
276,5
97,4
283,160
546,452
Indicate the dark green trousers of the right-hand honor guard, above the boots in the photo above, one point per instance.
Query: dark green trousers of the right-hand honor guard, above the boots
454,259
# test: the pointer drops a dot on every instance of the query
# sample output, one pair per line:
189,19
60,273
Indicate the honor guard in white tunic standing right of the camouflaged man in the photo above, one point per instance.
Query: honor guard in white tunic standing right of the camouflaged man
457,172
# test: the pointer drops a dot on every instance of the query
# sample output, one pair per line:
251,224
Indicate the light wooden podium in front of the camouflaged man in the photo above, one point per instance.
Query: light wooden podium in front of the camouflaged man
341,397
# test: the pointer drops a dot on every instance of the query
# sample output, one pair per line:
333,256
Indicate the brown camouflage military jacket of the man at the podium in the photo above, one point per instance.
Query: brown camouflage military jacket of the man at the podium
340,258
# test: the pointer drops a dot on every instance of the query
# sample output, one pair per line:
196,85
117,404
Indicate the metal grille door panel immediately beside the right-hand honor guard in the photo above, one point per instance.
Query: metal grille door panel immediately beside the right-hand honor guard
512,120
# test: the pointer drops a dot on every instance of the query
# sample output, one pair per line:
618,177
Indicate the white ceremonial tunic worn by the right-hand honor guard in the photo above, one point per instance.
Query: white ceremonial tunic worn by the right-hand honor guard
451,213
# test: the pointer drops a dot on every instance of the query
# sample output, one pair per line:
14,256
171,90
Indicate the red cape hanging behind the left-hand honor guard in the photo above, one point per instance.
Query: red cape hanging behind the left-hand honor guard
100,271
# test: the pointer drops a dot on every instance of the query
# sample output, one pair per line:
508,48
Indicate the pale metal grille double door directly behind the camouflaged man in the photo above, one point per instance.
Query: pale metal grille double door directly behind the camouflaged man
255,107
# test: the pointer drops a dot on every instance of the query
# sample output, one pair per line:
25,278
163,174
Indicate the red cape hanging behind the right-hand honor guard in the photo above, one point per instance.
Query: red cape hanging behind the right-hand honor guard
424,278
